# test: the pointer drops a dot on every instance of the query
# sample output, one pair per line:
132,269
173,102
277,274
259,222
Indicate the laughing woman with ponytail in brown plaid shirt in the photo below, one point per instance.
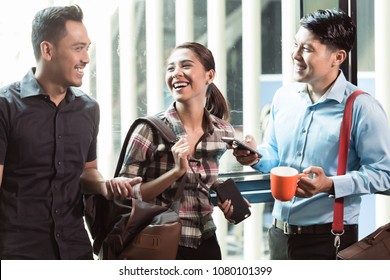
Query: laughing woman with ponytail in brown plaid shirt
199,117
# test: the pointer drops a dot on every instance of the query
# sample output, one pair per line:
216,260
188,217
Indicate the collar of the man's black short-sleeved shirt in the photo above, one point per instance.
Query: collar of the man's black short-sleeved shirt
29,86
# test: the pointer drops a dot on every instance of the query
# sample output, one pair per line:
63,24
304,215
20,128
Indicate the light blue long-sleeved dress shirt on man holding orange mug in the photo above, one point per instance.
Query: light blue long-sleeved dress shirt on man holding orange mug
302,134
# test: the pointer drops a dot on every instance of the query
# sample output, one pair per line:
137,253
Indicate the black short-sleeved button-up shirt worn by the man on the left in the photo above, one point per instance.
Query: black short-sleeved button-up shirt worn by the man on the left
43,149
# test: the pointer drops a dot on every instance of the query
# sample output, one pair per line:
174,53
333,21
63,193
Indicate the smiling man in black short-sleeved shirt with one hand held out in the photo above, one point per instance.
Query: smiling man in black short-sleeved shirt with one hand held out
48,136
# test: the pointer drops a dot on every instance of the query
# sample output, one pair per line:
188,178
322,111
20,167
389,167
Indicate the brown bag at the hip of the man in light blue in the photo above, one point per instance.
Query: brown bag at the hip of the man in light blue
375,246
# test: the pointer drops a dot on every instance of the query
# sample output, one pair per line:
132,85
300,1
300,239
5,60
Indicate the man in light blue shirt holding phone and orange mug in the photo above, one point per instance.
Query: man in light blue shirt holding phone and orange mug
304,133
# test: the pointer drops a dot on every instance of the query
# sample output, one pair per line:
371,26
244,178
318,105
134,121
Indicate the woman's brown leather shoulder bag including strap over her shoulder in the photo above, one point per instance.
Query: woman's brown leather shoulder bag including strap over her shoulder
131,228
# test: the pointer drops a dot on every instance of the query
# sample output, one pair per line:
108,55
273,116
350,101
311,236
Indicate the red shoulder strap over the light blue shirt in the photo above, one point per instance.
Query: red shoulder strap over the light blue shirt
345,136
